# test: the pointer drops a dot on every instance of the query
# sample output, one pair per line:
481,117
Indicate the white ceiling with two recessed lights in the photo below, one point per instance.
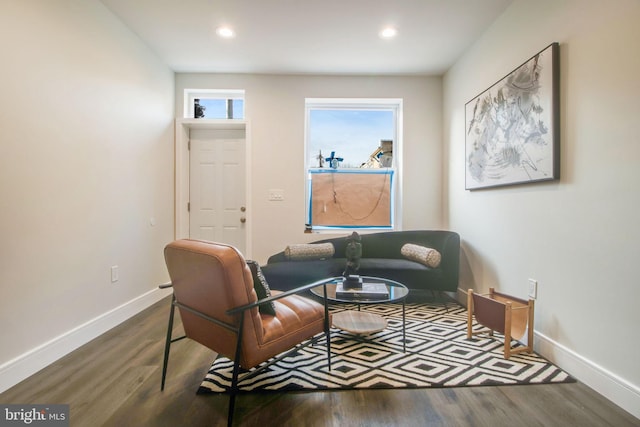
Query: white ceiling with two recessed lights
309,36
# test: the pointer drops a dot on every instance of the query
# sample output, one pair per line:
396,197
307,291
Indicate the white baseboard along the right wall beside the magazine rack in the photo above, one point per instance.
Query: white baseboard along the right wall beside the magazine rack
616,389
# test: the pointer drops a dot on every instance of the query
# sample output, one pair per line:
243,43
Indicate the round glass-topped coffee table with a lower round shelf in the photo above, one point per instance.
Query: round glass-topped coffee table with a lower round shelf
362,322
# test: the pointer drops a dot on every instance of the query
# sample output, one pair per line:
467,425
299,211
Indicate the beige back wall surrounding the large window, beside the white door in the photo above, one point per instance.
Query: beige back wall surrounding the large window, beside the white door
275,110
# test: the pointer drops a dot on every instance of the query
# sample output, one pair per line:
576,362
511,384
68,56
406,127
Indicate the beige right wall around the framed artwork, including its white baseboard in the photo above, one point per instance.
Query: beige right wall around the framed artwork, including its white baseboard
577,237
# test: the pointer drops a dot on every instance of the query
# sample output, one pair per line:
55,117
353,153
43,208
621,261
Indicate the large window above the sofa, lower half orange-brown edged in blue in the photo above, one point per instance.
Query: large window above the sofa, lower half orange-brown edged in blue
352,163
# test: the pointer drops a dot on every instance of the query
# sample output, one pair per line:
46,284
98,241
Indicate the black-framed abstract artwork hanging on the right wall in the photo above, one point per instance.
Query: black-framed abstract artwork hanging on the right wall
512,129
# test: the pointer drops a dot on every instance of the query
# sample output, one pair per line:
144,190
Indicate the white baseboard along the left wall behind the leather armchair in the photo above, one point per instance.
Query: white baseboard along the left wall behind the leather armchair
27,364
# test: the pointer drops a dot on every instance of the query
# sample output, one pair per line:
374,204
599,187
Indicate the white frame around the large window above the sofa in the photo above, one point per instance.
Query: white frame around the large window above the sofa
394,104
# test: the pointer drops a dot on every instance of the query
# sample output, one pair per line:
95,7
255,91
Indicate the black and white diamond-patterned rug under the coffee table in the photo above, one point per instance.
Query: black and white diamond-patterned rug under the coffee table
438,354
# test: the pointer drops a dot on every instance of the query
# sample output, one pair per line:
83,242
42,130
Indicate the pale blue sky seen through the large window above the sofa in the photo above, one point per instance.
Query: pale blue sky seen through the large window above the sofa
353,134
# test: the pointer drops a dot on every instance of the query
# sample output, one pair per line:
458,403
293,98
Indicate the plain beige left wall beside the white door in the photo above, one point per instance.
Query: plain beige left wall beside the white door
86,130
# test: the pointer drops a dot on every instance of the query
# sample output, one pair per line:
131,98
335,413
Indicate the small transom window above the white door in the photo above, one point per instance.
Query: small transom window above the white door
214,104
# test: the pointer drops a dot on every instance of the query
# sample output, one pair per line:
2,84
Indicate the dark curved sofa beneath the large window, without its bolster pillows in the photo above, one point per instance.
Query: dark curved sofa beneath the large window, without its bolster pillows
381,257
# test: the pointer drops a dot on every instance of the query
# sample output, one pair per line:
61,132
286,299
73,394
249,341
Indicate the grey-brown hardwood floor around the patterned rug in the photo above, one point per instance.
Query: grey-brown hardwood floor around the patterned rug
115,381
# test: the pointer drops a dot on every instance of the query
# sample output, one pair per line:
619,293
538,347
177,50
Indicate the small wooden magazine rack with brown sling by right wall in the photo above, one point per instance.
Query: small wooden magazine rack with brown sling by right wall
502,313
